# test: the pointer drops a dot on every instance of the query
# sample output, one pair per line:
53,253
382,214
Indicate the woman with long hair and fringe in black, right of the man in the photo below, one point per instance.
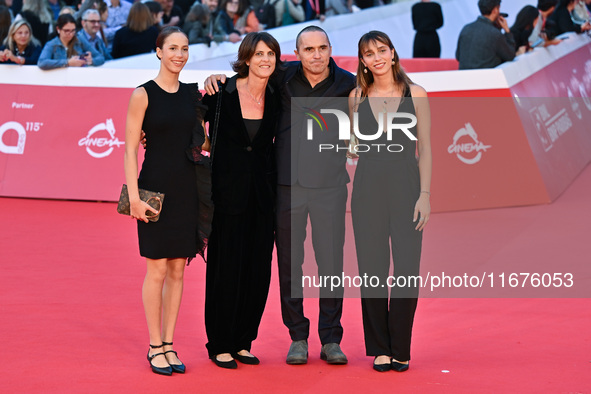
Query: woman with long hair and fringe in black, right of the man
390,201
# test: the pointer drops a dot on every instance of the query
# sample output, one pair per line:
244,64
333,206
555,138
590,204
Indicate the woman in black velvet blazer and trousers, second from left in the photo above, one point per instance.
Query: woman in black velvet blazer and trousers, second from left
241,243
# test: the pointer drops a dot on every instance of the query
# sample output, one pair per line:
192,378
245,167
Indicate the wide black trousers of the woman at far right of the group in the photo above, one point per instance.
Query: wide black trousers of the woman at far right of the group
382,207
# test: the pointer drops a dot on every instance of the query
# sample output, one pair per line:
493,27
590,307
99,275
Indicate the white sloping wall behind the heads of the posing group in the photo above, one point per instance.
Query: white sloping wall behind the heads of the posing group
344,32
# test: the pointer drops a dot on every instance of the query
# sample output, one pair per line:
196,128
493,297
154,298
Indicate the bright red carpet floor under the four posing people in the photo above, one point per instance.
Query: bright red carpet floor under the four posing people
72,320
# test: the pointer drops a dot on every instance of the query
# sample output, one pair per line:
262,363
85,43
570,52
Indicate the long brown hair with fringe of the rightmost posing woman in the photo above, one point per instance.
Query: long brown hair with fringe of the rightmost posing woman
365,80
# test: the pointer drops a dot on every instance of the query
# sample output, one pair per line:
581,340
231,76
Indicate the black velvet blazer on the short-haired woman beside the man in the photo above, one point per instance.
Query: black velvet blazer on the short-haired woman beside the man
242,166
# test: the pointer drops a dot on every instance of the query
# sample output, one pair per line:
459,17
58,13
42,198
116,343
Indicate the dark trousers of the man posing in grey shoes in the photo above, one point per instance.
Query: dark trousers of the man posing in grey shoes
326,209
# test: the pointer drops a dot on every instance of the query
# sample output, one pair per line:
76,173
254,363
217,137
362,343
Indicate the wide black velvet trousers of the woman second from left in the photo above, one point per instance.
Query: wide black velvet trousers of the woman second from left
237,278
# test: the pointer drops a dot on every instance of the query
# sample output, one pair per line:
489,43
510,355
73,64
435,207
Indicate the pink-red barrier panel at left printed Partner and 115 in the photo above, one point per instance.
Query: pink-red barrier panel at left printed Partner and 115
62,142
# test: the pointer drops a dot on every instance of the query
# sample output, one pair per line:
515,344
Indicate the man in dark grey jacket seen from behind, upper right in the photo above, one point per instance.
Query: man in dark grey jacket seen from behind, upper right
481,44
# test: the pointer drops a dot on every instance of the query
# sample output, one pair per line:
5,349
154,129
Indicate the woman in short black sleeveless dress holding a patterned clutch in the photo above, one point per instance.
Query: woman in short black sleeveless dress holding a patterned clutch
165,110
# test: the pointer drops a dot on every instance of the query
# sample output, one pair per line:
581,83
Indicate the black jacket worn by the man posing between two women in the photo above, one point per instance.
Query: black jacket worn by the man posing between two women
298,160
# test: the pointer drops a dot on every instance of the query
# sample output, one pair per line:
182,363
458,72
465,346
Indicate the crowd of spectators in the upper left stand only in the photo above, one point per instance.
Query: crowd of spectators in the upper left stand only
111,29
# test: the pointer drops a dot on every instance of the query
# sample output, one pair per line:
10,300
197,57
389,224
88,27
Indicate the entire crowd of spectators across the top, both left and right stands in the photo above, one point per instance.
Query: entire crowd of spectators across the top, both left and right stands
113,29
